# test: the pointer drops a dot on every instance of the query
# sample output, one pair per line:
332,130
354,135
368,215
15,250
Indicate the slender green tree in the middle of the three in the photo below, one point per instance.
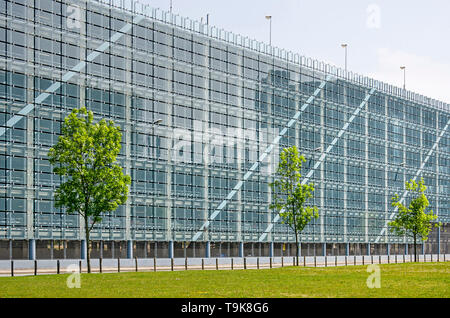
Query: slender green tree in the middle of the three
290,196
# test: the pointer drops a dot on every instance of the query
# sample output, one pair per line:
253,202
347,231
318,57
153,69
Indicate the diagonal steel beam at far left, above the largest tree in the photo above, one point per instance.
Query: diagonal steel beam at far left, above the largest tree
76,69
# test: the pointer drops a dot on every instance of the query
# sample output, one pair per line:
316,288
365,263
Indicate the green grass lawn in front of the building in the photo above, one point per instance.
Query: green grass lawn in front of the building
397,280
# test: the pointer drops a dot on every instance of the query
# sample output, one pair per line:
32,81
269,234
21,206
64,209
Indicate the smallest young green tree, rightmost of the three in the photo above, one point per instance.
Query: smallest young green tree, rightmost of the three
413,221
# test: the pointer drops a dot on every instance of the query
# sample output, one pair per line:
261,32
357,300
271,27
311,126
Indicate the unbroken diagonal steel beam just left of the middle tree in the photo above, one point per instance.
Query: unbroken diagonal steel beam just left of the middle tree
261,158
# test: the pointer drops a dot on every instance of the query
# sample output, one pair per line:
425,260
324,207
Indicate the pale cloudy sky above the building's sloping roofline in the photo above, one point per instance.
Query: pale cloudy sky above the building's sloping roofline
381,35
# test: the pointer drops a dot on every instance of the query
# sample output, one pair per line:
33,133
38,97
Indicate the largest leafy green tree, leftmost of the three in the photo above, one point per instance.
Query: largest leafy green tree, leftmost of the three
85,156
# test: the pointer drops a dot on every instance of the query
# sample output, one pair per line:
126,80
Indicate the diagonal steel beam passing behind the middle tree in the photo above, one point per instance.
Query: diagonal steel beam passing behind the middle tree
322,157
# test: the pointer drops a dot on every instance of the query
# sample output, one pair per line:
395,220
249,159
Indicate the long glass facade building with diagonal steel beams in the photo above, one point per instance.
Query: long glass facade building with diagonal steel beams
204,115
